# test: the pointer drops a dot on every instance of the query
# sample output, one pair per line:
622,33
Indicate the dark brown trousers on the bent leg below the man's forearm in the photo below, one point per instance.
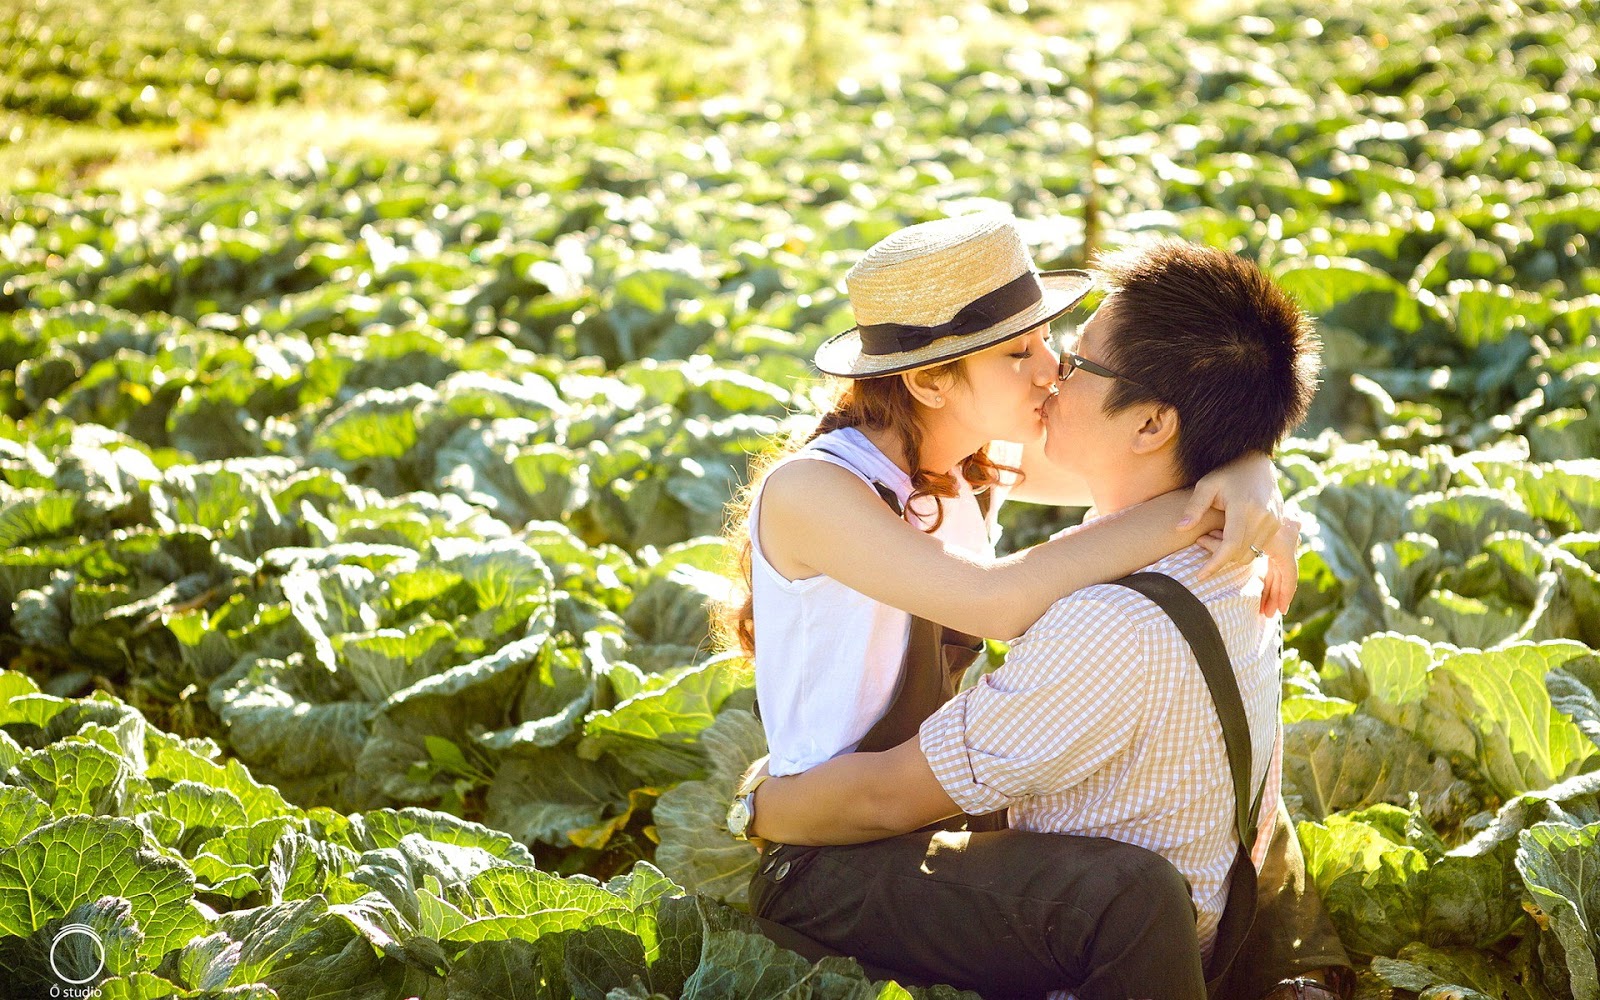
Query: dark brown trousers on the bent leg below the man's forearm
1006,914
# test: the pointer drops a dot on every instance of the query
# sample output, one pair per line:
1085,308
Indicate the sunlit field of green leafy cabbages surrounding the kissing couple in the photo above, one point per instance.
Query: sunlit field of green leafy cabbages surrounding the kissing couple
359,511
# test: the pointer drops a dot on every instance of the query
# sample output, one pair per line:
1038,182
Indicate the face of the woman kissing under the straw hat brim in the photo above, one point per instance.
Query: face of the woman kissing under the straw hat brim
1006,388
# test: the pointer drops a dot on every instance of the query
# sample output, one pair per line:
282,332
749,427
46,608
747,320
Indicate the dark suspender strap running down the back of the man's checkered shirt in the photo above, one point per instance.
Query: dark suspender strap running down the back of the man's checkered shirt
1204,638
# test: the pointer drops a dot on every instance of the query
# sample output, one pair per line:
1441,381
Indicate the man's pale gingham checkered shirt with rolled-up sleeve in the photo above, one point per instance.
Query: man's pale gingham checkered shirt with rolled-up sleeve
1100,724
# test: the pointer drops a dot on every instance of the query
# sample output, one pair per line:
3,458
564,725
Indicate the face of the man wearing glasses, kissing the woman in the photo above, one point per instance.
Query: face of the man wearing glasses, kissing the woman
1079,434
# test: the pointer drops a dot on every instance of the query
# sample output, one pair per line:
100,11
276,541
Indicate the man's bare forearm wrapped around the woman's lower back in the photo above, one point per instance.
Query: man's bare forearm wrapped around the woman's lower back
852,799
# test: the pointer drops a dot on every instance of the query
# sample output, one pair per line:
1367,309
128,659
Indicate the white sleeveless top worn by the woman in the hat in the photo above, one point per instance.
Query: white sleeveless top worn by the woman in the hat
826,657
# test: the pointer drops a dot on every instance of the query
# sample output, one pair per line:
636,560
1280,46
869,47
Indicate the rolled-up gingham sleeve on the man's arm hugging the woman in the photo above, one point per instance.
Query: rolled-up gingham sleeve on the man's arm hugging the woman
1066,703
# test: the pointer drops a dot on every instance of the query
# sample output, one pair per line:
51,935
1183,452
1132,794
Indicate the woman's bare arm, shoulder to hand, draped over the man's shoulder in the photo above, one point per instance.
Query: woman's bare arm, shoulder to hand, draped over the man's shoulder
820,519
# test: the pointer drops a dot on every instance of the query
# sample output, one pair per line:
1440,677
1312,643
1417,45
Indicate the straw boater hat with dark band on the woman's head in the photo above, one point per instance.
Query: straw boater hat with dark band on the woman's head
940,290
